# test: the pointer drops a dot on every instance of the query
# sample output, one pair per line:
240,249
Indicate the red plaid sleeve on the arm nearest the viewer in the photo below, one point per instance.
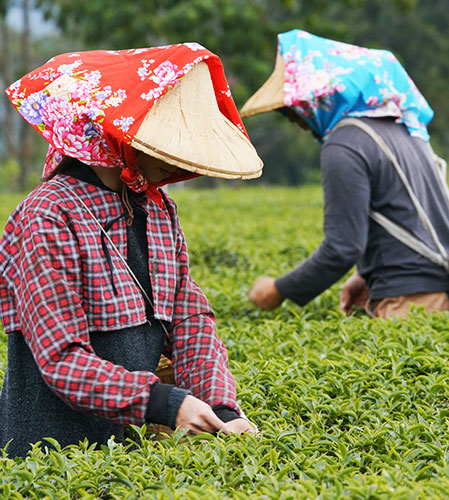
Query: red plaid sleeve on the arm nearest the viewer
54,324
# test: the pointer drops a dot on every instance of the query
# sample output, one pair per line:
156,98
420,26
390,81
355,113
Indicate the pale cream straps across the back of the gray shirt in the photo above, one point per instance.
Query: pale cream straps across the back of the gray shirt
406,237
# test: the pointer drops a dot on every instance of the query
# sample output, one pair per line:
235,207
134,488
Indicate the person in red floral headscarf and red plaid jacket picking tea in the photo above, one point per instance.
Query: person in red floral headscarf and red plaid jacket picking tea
94,272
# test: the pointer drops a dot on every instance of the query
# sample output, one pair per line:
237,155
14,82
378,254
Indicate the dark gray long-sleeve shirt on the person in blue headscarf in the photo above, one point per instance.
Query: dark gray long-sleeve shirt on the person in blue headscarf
357,177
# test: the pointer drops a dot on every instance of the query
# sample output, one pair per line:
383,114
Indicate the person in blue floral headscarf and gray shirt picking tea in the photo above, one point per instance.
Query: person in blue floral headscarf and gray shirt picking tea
386,203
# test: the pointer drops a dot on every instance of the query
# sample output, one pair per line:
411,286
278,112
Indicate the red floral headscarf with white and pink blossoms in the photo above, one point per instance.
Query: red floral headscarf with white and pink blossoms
89,105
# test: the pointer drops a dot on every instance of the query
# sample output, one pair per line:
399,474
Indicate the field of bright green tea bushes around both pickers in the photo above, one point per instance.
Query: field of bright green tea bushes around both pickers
346,407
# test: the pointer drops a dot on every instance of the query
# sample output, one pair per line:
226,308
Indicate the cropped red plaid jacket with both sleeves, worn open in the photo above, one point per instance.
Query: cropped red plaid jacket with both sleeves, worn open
55,287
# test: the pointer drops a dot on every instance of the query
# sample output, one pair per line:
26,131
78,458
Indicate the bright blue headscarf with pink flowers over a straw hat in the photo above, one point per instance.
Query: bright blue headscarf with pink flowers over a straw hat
325,81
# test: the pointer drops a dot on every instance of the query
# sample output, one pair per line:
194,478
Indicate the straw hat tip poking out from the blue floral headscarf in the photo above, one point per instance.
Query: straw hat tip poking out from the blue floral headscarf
270,96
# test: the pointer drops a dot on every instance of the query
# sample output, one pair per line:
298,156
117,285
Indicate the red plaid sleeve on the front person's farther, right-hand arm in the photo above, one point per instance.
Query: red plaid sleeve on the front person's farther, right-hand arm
199,356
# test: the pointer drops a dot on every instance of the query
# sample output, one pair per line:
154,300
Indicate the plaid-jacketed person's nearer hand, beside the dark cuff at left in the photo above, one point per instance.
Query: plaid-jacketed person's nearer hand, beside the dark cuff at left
198,416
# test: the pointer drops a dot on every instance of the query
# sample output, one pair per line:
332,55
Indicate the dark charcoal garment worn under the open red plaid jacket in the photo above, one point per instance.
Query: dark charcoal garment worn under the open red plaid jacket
30,411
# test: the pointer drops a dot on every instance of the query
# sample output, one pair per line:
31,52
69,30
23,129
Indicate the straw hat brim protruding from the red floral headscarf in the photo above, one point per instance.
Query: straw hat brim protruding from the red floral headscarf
185,128
